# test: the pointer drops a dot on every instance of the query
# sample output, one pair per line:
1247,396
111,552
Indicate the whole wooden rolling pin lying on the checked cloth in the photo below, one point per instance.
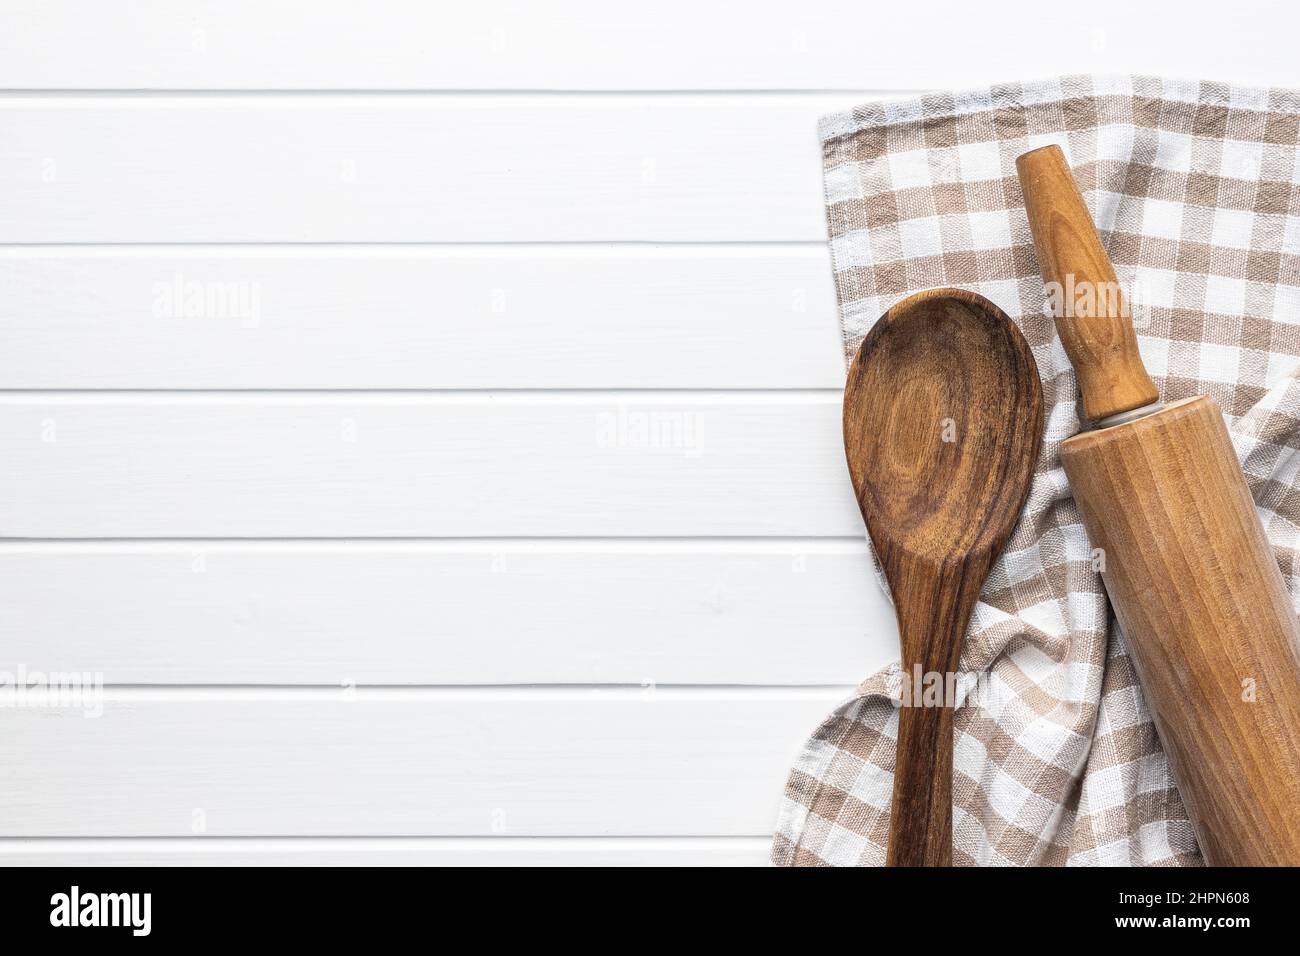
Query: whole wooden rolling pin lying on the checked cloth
1185,561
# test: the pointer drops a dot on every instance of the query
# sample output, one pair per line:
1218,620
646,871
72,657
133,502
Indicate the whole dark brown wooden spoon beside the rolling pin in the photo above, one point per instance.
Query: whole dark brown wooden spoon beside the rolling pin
943,421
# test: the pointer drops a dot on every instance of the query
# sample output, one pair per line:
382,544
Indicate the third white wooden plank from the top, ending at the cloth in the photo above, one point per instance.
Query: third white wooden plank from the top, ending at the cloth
434,317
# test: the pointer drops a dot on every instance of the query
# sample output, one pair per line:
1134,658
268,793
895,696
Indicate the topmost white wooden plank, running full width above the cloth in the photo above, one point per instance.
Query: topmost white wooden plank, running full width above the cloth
593,45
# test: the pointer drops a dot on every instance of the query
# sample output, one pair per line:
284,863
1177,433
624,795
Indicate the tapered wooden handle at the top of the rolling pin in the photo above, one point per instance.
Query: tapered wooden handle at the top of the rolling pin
1091,312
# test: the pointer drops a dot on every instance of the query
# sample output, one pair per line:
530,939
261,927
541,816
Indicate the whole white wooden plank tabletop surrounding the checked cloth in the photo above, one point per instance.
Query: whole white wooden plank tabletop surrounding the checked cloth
426,417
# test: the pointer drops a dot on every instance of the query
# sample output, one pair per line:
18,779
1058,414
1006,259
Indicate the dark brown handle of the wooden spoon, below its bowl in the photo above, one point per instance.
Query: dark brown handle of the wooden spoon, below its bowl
934,605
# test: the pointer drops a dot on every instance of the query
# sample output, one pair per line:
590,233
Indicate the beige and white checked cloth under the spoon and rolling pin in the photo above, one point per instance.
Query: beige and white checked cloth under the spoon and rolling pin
1197,192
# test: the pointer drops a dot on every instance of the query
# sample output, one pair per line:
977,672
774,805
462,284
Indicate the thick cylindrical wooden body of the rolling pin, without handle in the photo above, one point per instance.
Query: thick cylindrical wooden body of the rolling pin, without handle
1207,618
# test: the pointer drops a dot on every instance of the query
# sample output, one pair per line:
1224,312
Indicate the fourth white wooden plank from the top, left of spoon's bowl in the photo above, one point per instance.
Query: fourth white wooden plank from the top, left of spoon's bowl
419,465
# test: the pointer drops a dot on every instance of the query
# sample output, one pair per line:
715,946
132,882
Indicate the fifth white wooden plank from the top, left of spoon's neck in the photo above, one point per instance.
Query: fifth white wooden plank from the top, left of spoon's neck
447,613
